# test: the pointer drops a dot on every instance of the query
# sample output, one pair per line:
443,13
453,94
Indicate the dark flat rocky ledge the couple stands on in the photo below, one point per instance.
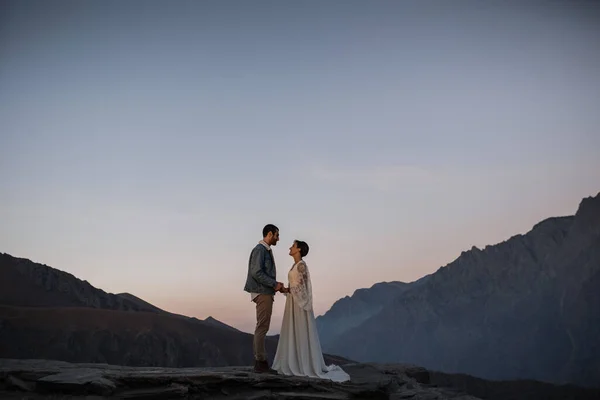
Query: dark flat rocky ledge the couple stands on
44,379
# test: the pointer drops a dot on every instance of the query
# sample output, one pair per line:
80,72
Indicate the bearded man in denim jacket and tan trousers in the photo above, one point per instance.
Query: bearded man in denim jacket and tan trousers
262,285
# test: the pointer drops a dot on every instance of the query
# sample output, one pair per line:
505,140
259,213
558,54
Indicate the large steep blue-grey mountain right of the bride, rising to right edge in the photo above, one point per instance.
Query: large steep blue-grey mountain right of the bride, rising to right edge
527,308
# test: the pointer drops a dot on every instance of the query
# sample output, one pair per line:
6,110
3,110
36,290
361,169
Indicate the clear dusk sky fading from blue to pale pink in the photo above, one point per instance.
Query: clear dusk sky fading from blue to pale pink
145,144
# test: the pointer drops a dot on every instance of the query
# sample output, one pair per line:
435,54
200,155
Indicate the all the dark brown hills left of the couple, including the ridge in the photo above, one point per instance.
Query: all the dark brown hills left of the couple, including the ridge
46,313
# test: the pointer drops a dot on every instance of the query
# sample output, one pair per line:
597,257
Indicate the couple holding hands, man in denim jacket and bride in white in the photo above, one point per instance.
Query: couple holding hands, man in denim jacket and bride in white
299,349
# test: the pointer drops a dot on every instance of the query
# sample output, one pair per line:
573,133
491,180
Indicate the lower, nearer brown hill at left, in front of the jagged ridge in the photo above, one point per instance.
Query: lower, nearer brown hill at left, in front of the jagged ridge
79,334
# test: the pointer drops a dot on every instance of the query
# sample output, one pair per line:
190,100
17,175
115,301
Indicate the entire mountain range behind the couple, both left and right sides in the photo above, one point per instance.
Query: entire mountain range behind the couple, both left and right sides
525,308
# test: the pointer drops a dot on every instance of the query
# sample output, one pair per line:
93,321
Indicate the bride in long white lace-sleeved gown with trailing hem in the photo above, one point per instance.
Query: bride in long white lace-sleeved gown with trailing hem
299,349
